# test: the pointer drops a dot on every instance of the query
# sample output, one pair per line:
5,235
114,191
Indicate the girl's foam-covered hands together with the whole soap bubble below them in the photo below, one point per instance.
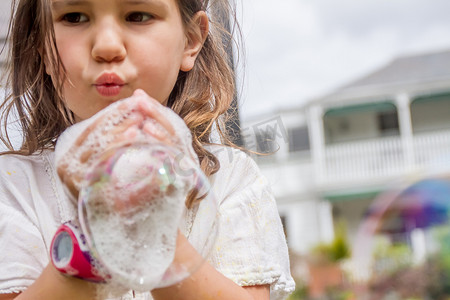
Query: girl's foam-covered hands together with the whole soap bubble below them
132,191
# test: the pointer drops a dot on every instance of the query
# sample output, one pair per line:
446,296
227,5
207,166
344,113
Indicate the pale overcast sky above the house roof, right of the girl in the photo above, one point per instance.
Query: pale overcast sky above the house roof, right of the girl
297,50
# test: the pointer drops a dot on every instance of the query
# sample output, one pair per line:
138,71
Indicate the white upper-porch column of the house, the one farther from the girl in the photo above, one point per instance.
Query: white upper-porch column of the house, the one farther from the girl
406,132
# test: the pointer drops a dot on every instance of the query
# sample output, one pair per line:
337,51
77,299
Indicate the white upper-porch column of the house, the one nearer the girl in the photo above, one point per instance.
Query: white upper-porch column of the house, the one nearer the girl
317,138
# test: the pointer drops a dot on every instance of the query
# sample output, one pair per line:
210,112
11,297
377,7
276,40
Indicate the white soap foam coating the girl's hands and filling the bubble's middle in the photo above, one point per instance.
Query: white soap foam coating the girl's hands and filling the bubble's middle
132,200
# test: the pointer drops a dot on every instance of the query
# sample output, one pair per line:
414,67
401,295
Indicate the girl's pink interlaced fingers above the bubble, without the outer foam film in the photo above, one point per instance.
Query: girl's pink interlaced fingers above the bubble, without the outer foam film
133,119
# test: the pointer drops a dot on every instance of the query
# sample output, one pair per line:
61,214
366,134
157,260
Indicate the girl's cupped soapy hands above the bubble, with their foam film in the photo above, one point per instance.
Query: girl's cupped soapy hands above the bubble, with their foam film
136,118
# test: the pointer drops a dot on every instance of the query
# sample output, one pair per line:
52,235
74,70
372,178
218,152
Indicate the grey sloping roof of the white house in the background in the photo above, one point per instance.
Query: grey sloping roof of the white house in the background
414,75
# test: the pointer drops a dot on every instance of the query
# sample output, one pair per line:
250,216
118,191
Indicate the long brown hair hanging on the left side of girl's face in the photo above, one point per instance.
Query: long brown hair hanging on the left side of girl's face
41,113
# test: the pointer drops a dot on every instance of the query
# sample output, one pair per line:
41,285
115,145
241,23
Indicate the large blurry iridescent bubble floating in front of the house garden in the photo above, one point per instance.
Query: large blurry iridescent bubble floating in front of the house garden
402,249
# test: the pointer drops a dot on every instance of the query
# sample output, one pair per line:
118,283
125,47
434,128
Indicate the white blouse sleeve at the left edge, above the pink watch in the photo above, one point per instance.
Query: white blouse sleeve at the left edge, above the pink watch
22,247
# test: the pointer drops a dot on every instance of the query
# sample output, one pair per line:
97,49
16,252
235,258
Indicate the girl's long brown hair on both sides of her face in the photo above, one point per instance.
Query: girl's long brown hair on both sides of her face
201,96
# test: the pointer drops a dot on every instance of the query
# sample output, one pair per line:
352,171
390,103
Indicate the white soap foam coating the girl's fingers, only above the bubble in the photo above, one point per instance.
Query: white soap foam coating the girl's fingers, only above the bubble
71,150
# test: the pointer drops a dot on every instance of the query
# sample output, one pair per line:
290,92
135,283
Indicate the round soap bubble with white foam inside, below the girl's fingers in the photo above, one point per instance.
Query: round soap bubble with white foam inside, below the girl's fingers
131,208
